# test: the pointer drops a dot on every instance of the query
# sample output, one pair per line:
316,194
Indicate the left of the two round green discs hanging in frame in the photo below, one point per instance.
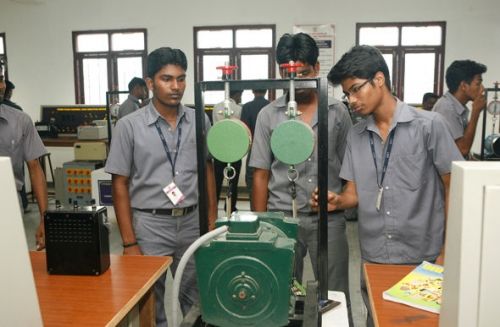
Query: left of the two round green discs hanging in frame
229,140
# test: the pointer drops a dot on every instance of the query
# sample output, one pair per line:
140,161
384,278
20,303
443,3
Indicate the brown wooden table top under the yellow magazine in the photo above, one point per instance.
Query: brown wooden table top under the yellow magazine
387,313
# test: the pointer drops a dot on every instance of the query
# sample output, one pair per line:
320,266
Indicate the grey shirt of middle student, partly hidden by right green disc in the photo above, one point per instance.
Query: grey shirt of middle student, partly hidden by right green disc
280,198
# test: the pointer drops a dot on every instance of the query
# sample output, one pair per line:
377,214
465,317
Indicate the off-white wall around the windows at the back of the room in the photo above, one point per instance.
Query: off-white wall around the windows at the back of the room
39,45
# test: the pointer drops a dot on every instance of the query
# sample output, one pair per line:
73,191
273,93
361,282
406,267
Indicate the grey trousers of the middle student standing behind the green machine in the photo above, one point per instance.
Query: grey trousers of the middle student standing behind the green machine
338,252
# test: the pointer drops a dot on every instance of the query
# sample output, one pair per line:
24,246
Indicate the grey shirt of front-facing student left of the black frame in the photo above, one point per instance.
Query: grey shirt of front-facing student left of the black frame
138,153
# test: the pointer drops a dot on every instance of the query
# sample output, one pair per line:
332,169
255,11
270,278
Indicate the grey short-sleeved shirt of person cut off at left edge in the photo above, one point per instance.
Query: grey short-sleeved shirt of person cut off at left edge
19,140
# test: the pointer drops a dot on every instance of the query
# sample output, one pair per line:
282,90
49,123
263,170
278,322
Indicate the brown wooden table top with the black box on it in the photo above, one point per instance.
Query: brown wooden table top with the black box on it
69,300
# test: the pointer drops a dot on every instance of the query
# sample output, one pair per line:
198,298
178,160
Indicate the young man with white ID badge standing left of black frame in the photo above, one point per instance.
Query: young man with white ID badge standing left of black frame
154,166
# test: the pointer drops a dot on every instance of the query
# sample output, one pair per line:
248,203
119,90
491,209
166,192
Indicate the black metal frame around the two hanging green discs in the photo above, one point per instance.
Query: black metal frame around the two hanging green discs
321,85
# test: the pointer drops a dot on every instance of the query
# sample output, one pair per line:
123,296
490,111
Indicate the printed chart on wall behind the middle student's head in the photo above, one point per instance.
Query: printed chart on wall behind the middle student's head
325,39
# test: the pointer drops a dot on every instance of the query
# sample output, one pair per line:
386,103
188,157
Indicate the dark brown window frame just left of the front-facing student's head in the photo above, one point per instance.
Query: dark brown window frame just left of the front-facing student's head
110,56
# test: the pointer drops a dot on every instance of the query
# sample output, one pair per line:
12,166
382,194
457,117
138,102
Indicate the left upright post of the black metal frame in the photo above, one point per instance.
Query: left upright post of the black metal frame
200,155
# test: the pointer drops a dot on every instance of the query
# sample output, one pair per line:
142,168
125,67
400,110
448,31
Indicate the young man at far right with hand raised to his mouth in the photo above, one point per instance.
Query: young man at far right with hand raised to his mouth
465,83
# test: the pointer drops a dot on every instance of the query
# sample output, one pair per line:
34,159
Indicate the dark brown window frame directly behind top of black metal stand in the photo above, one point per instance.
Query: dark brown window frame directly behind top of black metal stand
235,53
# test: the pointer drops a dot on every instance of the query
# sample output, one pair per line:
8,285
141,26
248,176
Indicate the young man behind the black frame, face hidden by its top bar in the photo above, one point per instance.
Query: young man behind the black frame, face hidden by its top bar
270,182
